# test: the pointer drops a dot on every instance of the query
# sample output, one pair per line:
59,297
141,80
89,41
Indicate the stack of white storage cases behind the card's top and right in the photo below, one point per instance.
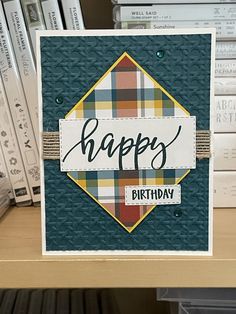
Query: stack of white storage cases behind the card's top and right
220,14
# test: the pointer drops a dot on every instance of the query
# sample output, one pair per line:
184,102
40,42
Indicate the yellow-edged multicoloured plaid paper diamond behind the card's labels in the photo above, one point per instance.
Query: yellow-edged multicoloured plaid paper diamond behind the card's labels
125,90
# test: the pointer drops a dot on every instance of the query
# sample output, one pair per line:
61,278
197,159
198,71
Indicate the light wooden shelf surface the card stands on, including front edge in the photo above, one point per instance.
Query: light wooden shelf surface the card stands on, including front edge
22,265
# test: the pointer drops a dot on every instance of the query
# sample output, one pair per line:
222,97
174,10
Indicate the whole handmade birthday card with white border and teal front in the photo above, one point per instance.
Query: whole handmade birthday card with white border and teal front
126,154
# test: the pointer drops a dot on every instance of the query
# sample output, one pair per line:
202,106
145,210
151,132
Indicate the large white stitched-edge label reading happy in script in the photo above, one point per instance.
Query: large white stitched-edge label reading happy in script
128,144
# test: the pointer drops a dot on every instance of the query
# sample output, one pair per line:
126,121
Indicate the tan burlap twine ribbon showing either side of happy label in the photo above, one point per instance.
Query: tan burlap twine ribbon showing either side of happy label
51,145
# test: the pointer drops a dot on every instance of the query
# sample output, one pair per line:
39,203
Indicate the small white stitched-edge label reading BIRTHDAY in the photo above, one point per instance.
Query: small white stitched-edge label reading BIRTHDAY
153,195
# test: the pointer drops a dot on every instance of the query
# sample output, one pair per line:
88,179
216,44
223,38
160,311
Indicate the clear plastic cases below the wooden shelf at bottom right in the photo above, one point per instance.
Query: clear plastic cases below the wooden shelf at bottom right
199,301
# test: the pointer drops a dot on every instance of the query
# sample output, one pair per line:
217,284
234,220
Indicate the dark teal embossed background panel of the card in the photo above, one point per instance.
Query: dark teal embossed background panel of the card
70,66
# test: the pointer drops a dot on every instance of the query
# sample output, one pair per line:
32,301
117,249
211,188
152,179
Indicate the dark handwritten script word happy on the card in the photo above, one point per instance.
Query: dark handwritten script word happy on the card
92,145
